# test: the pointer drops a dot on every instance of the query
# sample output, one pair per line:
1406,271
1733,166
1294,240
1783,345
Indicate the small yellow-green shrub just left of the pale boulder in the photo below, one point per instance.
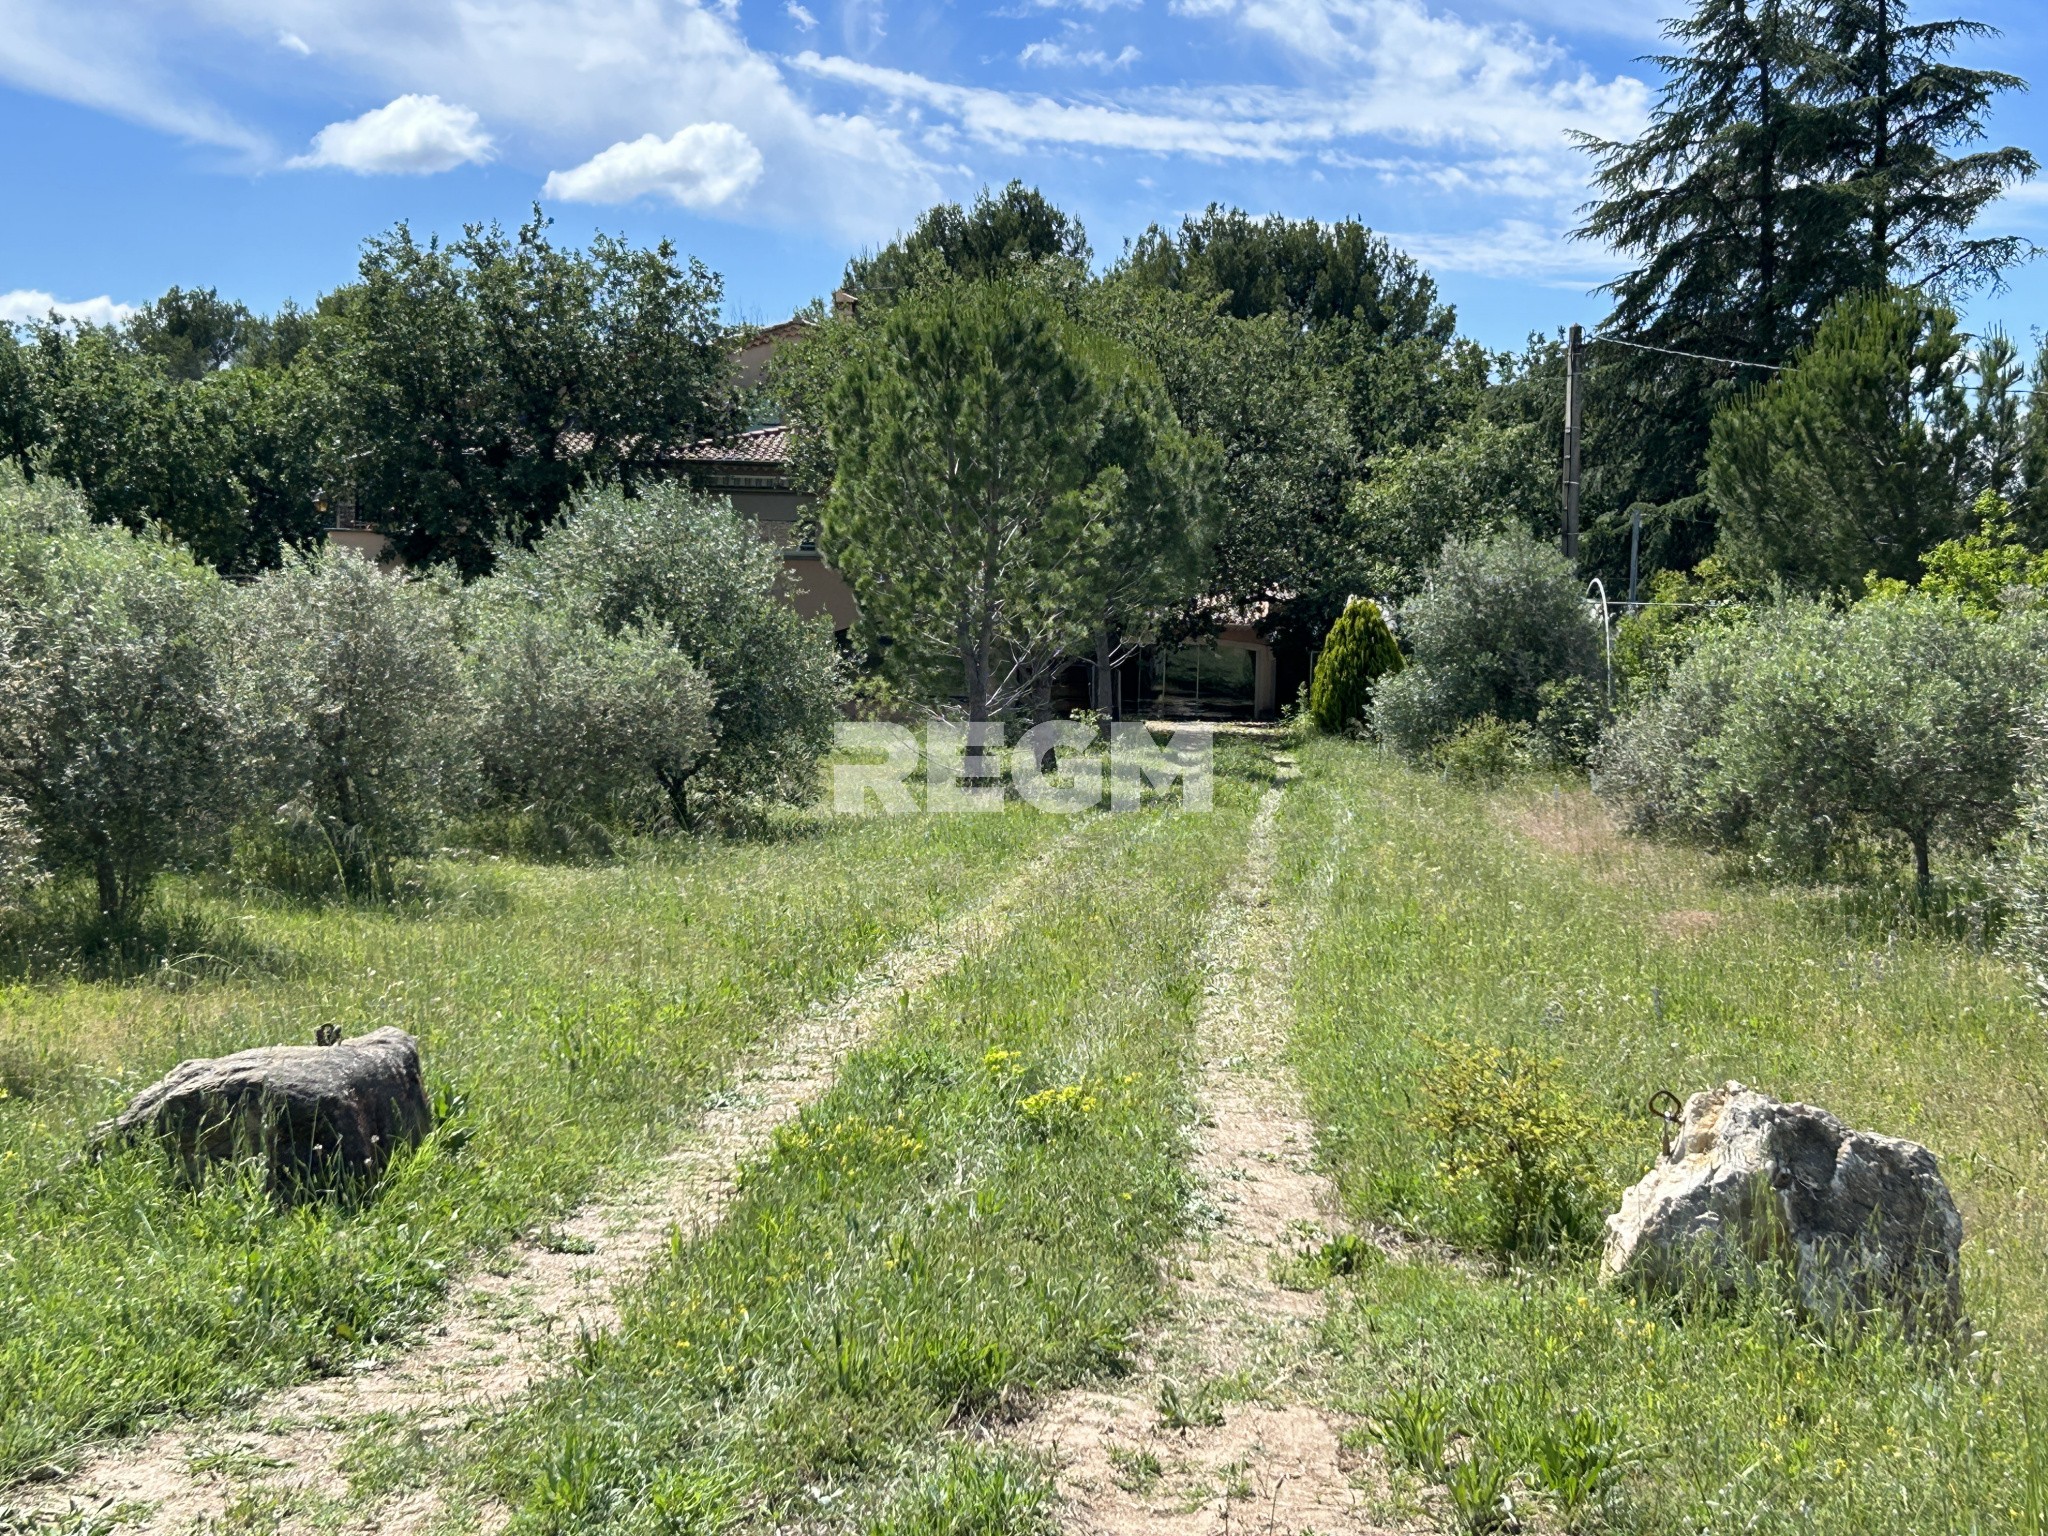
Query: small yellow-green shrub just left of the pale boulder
1508,1132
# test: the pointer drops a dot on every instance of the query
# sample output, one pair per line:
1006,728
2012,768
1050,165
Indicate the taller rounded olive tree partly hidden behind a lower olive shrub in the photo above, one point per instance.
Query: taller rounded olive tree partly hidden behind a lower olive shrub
687,564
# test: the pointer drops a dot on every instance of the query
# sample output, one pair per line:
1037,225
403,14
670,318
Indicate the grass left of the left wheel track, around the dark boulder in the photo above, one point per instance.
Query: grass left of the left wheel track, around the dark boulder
572,1021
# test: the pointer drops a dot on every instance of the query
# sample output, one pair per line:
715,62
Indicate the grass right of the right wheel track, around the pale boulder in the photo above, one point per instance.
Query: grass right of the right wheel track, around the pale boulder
1449,919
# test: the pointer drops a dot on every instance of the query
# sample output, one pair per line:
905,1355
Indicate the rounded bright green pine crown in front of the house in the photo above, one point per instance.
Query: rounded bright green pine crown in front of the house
1009,484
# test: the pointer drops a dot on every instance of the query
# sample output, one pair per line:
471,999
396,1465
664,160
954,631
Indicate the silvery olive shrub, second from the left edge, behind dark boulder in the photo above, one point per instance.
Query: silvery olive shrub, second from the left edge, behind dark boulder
351,710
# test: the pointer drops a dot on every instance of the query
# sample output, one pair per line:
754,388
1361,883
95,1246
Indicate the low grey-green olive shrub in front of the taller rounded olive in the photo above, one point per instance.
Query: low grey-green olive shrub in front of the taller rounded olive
583,726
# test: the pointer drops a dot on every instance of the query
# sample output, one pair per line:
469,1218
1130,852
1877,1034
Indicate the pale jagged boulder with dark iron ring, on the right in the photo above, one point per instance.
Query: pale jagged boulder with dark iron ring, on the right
1865,1224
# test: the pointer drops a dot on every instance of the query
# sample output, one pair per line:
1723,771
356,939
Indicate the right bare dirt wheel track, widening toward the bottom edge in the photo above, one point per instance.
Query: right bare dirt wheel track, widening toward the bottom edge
1215,1433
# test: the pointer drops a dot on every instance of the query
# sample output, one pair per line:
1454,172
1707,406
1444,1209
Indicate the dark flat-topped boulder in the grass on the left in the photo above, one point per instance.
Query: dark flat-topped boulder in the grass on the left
318,1117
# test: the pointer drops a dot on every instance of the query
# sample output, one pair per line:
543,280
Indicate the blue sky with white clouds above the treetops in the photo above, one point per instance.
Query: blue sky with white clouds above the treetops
253,144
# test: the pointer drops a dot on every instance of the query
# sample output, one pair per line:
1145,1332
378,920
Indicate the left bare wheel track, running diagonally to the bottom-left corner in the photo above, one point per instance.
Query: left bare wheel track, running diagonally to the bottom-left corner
505,1328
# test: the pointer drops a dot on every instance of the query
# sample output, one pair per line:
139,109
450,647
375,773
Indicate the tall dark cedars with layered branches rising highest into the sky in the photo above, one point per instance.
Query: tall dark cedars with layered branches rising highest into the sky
1801,153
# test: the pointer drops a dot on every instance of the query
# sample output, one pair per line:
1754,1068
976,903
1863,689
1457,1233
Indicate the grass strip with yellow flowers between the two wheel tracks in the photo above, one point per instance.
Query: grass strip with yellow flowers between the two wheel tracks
974,1215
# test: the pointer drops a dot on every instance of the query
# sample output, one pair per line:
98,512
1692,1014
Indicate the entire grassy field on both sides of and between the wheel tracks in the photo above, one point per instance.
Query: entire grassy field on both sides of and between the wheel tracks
976,1215
